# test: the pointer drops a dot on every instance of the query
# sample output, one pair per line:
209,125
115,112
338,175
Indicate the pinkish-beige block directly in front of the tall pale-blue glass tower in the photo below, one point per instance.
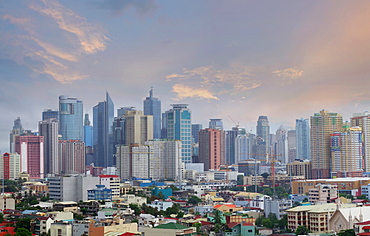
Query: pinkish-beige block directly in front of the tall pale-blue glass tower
72,156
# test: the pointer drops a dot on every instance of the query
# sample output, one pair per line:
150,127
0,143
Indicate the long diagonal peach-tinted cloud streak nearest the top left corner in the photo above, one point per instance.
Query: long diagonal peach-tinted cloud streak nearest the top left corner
90,39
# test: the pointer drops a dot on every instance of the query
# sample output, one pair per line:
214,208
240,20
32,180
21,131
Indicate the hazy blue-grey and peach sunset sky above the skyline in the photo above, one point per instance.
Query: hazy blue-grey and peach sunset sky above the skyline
284,59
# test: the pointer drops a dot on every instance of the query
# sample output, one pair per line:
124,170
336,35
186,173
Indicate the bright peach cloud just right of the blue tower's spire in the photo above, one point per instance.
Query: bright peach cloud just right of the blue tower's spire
184,91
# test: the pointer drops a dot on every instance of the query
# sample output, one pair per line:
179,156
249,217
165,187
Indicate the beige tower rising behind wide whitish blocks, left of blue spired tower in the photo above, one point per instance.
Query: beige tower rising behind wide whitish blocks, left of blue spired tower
138,127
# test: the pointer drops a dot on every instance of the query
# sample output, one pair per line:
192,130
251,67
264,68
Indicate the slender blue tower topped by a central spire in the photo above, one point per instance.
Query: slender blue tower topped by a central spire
152,106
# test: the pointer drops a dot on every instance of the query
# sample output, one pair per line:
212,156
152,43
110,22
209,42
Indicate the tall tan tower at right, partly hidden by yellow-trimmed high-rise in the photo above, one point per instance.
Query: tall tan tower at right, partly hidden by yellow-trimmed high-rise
322,125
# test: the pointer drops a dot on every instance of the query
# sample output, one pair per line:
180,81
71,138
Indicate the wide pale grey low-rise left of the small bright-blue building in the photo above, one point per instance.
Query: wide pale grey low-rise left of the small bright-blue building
72,188
